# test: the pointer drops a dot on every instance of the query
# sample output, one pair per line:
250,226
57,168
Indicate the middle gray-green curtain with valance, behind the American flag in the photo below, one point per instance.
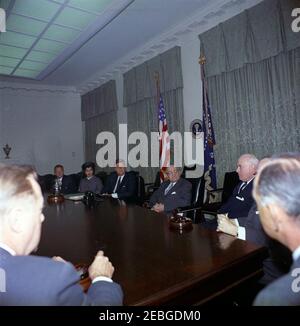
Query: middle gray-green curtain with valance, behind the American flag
140,97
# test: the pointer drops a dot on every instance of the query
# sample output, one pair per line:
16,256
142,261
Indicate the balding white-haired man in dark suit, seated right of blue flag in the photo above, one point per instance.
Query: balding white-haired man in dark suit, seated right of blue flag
241,200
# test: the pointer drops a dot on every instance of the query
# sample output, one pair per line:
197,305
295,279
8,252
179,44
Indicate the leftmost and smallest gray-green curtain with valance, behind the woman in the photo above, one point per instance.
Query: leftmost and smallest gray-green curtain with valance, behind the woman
99,112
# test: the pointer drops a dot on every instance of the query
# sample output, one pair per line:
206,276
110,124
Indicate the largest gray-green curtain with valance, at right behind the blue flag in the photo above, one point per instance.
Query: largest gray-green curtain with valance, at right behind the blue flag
253,70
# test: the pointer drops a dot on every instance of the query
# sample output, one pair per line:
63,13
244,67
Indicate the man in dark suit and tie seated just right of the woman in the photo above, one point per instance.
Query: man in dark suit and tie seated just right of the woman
121,184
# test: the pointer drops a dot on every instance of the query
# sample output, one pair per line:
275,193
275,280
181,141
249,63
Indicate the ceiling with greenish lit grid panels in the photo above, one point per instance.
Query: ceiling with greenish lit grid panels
65,42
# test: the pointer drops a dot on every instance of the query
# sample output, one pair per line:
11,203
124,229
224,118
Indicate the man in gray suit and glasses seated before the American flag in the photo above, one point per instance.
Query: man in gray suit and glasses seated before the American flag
174,193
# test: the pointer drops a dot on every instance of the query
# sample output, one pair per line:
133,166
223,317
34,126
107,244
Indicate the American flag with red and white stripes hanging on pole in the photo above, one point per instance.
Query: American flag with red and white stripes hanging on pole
164,139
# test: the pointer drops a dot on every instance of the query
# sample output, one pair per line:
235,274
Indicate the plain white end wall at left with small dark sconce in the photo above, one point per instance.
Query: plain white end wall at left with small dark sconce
42,127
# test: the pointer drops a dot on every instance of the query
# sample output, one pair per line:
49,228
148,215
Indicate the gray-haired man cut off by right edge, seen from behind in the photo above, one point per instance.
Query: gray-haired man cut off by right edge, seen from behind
277,192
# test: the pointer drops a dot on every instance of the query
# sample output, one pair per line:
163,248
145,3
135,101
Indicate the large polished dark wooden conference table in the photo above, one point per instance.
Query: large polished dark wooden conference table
153,264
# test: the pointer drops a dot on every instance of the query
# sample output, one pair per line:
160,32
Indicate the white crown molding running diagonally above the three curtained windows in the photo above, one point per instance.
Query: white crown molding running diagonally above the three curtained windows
211,15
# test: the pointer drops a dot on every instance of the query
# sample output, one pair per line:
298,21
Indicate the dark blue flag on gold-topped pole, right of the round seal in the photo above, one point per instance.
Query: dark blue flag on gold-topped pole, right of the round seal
209,140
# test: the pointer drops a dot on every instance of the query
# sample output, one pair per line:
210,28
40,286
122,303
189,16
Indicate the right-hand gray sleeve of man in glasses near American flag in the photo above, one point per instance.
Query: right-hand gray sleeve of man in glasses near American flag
182,197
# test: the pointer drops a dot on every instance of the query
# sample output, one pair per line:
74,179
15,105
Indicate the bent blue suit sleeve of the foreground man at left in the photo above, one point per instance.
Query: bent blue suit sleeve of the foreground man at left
99,293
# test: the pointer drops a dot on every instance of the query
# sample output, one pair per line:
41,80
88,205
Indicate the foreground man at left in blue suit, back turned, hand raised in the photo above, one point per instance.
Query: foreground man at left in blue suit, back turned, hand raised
32,280
